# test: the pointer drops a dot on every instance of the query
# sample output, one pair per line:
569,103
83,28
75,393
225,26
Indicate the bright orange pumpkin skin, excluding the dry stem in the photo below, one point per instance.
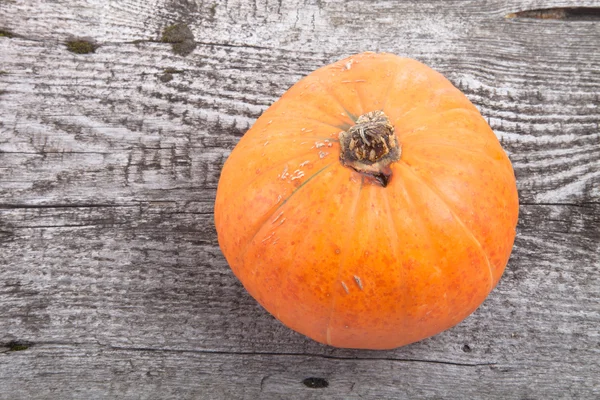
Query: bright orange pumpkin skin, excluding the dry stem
330,251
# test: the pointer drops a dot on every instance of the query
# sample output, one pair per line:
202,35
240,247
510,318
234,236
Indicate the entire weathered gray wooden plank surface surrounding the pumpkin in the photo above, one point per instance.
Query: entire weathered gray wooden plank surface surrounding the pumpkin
112,284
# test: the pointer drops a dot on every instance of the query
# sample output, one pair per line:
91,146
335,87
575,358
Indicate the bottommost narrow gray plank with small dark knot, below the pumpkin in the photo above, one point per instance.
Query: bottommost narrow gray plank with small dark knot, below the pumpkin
92,371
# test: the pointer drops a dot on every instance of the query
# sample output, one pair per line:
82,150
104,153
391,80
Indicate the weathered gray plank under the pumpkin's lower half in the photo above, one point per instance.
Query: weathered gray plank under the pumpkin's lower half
169,277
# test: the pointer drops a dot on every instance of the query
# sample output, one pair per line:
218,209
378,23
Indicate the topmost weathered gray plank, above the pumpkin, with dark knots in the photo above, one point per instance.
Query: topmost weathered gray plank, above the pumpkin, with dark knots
293,24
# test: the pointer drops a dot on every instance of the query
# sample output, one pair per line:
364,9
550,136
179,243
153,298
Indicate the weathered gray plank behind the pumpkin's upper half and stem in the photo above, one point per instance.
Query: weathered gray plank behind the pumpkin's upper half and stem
139,130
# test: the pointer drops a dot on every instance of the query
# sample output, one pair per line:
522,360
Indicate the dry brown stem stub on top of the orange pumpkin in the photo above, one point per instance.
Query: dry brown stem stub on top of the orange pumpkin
370,146
